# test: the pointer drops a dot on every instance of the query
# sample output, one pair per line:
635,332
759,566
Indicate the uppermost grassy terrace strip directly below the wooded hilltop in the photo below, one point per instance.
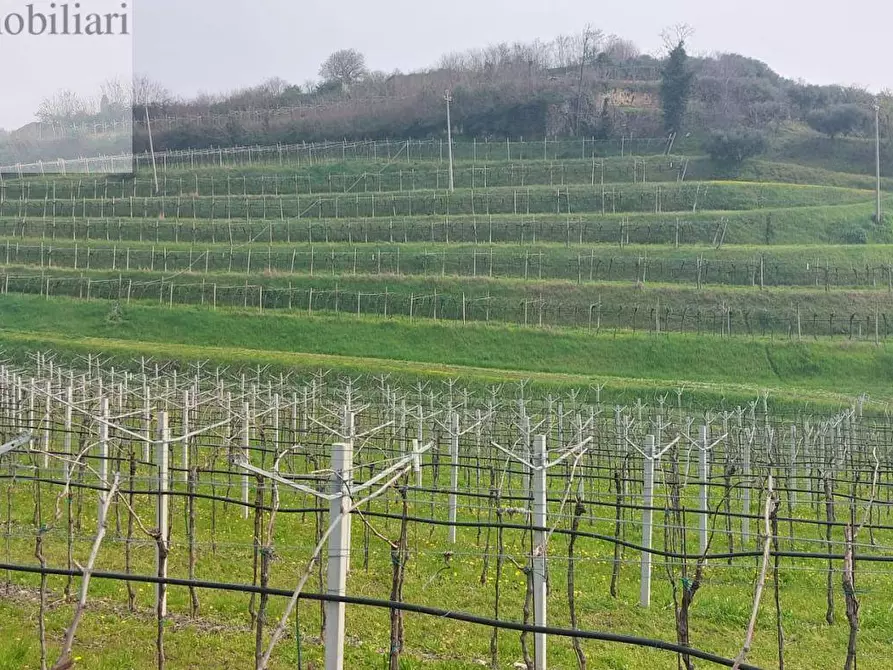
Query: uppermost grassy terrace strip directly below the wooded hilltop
784,164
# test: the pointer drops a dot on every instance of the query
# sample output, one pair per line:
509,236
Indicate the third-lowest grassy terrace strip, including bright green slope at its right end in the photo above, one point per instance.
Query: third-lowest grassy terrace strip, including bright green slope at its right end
786,225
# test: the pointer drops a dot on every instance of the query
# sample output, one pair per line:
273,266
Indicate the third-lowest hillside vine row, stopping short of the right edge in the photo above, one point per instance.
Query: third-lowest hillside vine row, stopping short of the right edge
475,229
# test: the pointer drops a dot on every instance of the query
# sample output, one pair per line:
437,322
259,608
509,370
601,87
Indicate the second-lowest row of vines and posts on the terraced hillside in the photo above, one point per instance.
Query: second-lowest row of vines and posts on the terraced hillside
580,265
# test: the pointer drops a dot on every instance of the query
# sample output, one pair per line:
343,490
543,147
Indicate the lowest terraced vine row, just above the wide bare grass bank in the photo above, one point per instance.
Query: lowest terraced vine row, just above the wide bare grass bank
708,317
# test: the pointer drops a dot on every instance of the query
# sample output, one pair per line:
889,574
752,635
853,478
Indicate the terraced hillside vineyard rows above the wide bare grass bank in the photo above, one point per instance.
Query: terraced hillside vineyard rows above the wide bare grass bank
578,234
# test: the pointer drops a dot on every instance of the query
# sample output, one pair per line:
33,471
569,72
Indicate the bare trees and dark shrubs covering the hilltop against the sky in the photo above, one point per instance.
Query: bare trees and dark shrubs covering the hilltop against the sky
588,84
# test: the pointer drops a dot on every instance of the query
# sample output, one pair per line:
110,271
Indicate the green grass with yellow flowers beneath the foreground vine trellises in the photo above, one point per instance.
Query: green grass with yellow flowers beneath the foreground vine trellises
111,637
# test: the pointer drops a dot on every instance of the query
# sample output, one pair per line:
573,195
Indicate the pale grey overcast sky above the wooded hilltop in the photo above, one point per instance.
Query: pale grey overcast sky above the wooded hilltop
218,45
